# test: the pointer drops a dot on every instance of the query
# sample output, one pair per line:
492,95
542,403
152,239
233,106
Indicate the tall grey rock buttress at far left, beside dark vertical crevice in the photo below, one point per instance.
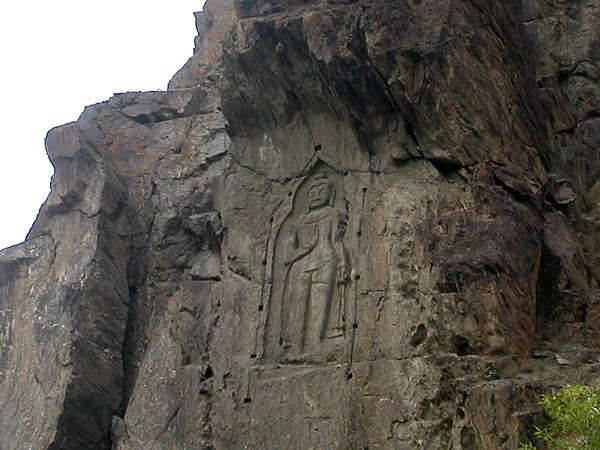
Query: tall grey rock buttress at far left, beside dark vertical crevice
65,308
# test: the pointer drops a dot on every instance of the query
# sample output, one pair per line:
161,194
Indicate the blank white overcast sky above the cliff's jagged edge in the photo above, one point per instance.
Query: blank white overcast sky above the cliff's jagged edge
59,56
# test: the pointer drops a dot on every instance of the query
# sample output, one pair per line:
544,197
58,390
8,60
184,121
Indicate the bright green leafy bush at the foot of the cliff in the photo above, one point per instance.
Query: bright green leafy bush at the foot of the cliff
574,413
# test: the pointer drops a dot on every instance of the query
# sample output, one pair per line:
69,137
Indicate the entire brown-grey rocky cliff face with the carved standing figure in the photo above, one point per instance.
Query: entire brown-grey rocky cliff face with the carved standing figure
347,224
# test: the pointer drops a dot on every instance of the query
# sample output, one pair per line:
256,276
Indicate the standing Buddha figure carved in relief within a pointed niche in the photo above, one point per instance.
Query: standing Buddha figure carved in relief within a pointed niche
311,270
